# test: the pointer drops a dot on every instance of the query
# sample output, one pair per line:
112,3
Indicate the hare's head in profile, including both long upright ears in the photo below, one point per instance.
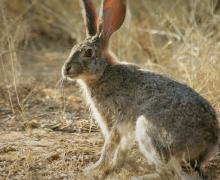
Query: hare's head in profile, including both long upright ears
89,58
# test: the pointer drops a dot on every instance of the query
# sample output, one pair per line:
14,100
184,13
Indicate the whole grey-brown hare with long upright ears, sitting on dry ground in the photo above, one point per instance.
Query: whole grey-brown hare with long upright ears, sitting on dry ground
165,117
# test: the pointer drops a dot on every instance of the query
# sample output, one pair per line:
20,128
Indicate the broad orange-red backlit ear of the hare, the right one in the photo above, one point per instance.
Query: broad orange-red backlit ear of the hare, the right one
113,15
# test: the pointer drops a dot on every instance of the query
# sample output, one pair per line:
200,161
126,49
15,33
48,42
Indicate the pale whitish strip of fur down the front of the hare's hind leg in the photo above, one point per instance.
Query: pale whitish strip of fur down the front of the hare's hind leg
145,143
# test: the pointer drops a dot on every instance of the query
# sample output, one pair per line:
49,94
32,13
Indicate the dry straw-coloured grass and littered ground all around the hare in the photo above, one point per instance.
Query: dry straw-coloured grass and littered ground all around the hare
45,129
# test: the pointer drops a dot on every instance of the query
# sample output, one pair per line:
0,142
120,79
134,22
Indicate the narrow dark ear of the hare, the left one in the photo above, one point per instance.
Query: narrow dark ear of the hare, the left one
90,17
